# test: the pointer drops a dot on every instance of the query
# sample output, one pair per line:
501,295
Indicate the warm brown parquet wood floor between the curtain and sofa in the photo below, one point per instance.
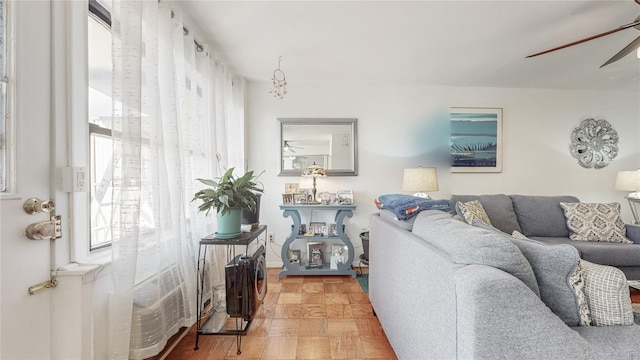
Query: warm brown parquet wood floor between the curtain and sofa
302,317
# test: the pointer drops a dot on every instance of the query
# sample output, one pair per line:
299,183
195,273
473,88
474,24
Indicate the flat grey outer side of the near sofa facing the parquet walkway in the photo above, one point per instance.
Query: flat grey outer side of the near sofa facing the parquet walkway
412,291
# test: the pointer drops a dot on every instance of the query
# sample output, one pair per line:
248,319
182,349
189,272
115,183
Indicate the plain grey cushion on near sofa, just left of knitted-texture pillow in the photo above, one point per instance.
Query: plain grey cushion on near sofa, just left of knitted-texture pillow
559,275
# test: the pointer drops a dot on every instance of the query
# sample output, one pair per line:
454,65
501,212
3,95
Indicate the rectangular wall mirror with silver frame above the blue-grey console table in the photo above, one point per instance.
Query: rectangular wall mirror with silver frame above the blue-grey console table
330,143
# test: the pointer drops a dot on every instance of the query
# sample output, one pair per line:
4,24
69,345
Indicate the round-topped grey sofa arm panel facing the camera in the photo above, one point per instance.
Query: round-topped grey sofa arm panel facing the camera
500,317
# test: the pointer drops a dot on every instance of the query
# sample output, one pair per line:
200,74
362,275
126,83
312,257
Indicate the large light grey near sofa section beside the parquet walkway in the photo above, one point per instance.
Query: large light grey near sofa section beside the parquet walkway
438,296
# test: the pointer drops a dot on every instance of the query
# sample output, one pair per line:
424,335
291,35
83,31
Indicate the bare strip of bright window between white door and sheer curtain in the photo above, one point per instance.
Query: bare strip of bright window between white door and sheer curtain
100,133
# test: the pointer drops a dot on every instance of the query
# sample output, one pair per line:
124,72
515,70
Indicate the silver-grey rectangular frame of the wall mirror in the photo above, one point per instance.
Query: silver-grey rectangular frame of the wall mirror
311,122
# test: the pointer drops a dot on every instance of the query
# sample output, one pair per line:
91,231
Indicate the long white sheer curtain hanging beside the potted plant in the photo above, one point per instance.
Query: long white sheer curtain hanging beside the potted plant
178,115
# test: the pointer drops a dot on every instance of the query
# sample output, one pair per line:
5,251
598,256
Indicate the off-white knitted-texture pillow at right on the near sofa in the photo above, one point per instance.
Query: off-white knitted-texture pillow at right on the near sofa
607,294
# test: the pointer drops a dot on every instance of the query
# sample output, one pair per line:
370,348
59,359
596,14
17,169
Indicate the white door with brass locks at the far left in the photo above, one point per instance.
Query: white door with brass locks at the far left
26,319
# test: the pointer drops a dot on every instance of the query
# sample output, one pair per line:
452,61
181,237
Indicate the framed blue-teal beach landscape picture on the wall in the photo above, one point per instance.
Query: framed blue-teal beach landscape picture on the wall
476,139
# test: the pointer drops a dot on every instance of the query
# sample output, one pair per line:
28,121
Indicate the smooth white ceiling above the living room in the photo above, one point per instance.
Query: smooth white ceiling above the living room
456,43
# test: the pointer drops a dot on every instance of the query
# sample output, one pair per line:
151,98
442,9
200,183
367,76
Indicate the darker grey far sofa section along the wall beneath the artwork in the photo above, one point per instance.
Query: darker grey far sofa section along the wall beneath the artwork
541,218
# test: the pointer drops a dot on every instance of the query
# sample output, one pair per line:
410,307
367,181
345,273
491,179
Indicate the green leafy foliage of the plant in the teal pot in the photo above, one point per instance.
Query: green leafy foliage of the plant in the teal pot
229,192
